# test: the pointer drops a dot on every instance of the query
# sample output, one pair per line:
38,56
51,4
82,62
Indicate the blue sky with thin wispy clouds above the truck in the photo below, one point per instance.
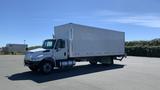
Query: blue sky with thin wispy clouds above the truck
34,20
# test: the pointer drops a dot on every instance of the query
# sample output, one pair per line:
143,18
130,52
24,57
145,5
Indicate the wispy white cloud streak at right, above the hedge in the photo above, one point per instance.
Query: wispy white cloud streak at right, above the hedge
147,20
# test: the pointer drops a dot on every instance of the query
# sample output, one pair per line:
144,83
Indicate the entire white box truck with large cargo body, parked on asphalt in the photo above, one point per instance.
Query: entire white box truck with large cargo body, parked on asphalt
74,42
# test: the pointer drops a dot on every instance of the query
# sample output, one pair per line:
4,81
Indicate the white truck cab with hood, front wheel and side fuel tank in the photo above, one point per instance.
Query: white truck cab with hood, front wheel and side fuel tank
54,53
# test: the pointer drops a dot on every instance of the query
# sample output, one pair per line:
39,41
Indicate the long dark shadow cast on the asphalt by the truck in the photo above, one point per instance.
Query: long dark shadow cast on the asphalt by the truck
62,73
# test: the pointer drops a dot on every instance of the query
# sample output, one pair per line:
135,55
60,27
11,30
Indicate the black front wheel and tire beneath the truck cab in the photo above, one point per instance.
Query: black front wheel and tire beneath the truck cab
46,67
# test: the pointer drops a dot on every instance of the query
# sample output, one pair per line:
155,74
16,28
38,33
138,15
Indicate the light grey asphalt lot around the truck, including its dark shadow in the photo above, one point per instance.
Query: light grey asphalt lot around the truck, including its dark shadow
133,73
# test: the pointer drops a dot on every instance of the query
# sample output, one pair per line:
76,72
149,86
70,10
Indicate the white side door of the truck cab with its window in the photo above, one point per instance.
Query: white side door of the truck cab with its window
61,49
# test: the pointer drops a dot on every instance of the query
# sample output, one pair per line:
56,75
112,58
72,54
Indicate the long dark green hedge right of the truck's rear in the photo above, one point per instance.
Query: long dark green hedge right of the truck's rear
143,48
